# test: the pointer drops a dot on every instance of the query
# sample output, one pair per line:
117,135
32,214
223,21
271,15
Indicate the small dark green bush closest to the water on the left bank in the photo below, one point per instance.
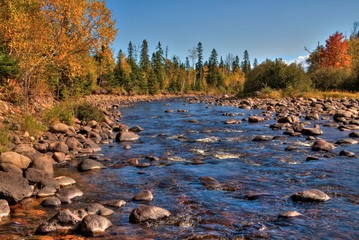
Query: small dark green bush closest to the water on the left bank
86,112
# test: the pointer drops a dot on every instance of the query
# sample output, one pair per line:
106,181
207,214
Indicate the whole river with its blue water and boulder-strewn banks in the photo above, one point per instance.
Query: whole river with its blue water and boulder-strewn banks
198,167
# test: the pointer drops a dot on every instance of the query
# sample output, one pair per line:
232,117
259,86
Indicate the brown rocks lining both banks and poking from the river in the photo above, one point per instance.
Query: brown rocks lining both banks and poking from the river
29,170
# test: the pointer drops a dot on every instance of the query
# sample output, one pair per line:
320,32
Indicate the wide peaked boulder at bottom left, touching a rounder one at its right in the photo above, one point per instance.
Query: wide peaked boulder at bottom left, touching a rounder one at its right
63,221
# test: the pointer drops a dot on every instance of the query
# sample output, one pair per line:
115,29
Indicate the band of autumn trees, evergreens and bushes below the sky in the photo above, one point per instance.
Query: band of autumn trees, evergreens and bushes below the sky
69,54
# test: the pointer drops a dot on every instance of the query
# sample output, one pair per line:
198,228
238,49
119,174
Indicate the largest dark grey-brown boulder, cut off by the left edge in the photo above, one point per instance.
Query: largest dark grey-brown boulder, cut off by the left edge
14,188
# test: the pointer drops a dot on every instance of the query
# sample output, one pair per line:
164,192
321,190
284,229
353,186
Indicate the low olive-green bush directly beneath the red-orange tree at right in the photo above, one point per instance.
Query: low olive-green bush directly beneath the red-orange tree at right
332,78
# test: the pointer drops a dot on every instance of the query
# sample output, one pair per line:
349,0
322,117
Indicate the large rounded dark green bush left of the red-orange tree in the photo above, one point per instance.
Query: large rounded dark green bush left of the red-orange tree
277,75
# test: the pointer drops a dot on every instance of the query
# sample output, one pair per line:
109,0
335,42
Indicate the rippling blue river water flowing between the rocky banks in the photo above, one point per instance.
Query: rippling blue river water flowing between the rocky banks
258,178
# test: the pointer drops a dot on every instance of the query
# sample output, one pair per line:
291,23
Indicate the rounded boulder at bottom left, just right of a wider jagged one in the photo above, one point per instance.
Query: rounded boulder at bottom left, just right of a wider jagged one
94,224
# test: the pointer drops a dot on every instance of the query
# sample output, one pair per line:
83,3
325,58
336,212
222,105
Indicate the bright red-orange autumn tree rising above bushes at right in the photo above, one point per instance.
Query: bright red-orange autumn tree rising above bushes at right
335,54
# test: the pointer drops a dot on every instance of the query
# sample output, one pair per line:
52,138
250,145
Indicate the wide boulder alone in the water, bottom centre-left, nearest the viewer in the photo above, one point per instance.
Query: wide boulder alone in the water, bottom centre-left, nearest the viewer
144,213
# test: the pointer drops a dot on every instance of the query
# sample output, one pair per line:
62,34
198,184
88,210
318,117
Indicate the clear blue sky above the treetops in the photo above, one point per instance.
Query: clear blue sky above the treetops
266,28
